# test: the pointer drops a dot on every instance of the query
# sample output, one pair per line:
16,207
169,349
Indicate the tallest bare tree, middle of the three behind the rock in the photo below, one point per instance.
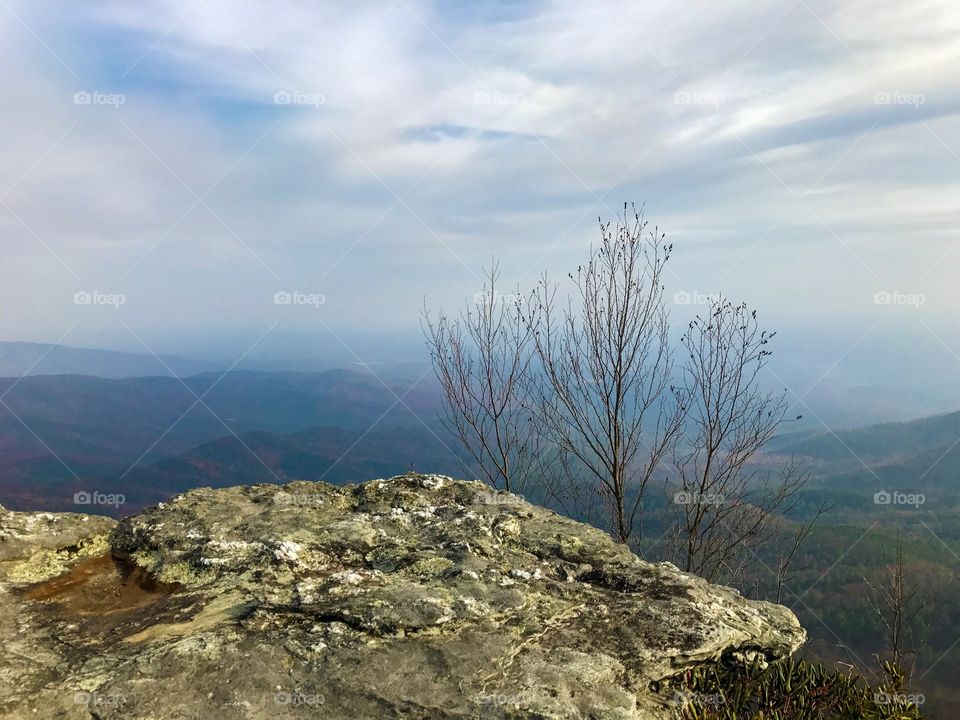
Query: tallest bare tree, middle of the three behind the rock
604,371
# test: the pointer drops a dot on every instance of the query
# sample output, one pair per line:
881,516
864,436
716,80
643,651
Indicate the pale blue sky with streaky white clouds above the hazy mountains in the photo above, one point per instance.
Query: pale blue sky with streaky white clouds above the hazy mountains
209,177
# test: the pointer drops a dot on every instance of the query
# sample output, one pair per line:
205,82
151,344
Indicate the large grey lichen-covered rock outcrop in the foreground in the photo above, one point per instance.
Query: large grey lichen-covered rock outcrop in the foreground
413,597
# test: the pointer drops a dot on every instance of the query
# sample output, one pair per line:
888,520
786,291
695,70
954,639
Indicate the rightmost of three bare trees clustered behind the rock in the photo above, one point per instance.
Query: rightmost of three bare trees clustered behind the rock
723,505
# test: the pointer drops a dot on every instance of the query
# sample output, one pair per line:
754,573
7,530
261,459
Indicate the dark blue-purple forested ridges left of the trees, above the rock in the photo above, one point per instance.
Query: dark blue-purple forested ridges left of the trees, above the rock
69,432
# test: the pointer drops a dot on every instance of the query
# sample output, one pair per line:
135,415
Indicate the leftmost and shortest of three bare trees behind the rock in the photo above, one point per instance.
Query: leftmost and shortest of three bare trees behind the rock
481,360
